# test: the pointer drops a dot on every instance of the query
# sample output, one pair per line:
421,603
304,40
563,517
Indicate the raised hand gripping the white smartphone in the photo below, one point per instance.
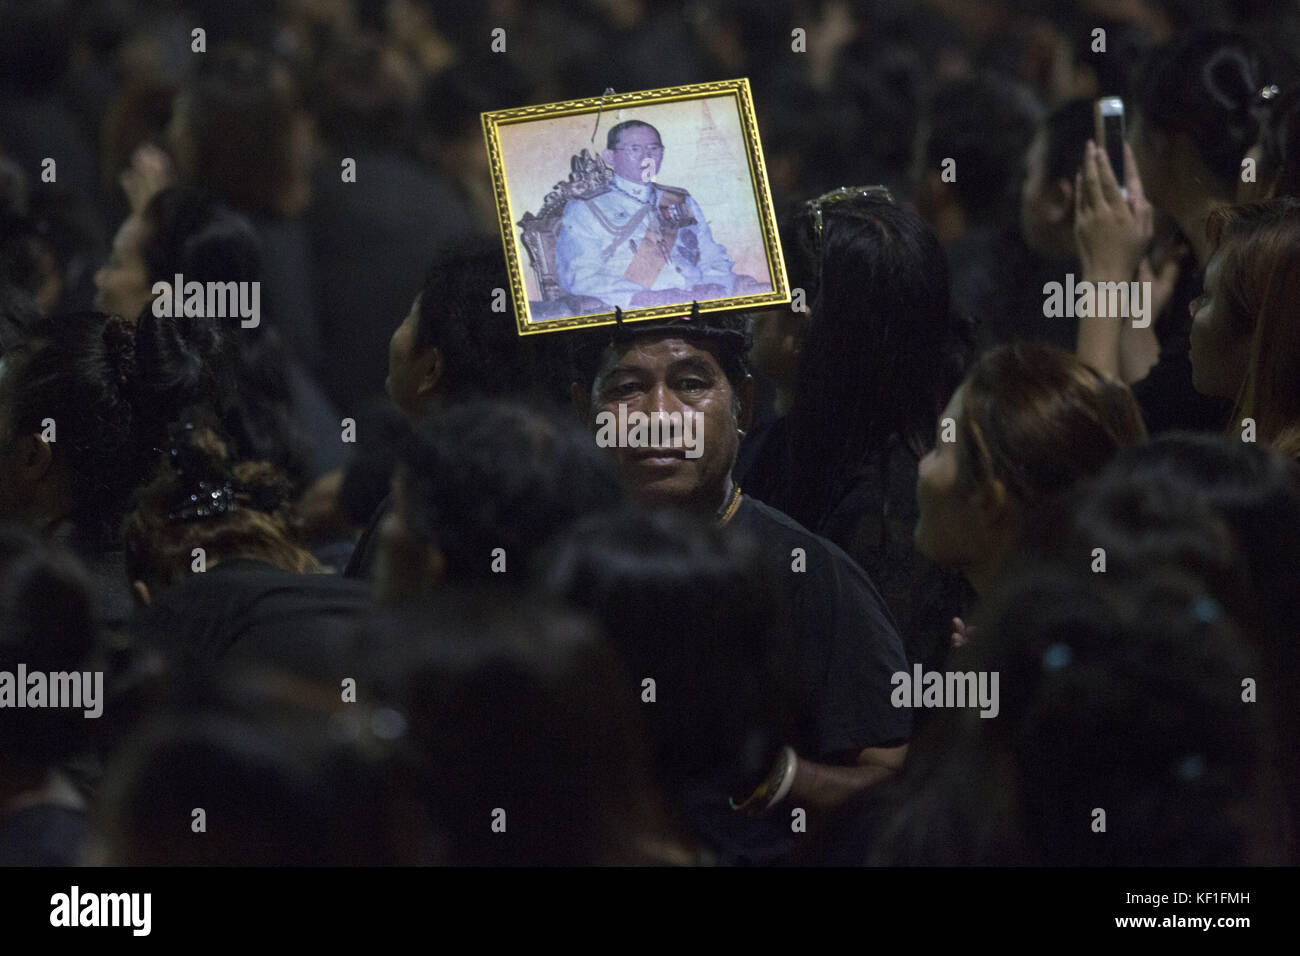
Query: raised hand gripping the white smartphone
1112,233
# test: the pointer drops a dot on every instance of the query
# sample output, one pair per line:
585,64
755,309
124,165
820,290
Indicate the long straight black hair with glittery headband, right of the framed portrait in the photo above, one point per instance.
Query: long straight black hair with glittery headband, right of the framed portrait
870,370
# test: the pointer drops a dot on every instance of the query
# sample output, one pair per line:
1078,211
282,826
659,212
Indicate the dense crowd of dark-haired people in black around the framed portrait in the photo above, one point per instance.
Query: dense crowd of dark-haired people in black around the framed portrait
957,578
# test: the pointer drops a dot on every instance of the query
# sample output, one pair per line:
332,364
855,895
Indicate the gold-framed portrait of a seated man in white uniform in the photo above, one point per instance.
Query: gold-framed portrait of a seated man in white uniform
644,202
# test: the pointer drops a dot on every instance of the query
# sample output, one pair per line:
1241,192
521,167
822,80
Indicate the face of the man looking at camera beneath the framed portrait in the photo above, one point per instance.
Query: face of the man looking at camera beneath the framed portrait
661,378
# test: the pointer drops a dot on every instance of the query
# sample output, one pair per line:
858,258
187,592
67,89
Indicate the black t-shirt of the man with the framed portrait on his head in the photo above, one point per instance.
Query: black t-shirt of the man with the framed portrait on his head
839,647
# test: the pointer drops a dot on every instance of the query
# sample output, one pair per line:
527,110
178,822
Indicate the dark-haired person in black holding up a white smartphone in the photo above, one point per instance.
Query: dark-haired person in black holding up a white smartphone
1189,127
